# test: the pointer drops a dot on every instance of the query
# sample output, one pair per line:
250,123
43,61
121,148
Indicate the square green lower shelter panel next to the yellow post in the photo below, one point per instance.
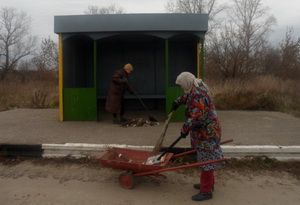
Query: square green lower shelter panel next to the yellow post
80,104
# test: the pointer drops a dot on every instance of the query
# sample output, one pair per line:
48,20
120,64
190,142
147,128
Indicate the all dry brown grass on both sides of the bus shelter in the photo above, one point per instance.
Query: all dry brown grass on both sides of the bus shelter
38,89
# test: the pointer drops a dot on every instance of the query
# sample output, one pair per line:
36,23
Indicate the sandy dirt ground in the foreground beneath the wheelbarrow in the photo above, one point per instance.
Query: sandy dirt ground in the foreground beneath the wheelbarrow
51,182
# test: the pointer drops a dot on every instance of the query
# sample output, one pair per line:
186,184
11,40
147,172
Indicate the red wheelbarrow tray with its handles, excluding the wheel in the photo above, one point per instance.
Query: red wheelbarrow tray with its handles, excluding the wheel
134,161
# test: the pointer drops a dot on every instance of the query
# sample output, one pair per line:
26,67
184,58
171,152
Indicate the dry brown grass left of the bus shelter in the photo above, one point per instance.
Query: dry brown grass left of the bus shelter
29,89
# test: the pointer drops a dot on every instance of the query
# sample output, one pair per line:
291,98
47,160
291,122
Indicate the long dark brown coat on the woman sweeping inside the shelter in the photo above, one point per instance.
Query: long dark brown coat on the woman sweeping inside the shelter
117,89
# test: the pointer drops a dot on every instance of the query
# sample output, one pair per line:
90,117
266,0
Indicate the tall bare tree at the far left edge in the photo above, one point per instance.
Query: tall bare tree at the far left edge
15,39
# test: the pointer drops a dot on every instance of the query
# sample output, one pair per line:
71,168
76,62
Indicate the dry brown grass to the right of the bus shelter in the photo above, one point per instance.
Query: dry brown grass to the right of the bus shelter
258,93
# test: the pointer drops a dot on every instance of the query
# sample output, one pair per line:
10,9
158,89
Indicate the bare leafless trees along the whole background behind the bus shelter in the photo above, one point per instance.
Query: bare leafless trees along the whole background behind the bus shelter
237,42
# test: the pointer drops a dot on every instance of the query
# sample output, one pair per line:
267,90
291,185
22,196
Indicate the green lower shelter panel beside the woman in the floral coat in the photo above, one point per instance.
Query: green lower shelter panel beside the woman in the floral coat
172,94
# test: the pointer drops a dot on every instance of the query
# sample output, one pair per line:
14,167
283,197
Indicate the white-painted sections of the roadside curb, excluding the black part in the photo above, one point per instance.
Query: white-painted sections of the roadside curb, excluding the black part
230,151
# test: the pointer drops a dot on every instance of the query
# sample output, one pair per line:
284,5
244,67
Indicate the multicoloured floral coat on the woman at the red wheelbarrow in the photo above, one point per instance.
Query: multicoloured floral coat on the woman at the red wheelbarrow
202,124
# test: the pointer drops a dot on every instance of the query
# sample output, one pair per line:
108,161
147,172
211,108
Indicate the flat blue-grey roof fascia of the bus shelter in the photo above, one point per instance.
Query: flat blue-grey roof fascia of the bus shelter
102,23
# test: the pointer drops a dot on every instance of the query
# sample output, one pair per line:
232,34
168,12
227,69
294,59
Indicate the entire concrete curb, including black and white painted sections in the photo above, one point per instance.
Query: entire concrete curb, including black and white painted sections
79,150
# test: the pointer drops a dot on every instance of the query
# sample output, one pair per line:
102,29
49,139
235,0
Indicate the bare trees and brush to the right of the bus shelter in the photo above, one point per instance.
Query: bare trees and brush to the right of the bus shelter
237,43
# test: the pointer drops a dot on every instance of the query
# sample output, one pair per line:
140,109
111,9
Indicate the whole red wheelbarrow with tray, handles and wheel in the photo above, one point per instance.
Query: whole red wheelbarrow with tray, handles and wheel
134,162
